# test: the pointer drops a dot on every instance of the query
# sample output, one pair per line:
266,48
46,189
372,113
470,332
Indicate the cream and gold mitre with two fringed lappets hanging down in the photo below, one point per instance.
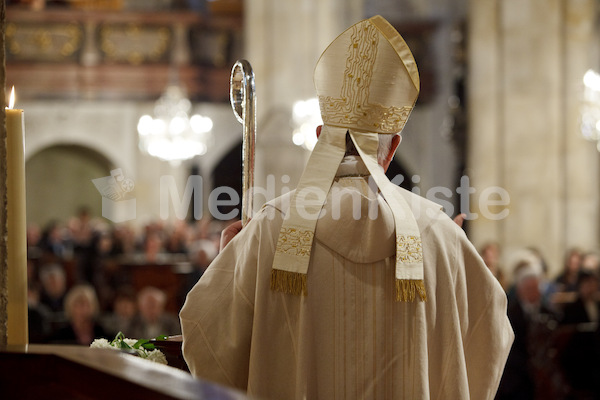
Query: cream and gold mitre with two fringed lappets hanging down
367,83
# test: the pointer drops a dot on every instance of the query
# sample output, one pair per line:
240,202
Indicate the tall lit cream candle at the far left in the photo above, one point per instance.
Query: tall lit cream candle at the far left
17,237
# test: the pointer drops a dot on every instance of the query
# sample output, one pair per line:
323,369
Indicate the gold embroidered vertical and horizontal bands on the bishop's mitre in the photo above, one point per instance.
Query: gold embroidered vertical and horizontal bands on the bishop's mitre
353,107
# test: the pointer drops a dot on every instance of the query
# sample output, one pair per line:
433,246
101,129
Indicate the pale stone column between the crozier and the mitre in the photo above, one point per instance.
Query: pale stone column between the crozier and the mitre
283,40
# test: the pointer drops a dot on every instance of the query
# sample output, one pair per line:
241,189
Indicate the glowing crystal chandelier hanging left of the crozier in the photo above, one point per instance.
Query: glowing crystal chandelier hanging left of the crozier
171,134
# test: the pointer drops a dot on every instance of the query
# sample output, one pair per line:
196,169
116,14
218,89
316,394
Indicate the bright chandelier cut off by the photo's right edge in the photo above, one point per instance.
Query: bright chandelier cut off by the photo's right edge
590,108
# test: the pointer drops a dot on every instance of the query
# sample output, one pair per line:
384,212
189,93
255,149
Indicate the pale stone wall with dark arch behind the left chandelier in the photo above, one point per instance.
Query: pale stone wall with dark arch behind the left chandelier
109,130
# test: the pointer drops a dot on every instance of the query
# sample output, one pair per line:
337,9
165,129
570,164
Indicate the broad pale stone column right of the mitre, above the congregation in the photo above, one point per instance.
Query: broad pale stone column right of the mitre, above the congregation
526,62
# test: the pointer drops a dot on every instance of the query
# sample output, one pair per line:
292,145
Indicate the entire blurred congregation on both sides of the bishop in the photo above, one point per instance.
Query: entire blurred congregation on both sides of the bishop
83,285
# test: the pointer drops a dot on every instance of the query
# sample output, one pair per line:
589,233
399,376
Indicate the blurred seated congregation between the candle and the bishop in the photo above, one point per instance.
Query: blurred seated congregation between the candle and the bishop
88,280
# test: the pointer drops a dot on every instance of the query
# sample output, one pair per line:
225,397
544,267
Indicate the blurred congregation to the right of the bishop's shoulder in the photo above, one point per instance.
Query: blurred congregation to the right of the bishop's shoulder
556,352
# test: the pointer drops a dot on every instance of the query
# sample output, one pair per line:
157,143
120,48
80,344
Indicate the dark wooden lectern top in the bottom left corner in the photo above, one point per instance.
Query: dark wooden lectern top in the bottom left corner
77,372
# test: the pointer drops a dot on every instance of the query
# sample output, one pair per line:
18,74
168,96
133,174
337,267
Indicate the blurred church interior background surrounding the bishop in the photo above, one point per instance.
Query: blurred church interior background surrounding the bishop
506,130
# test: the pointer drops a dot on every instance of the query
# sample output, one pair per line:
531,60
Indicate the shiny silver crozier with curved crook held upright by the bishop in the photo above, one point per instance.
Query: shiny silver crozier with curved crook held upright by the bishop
243,101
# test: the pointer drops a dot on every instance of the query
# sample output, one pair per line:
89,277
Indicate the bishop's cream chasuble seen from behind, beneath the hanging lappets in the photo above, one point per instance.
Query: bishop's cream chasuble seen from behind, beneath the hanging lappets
349,338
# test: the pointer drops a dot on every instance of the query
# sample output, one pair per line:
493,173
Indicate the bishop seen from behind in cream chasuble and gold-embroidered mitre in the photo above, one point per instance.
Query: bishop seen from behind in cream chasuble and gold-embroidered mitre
365,292
